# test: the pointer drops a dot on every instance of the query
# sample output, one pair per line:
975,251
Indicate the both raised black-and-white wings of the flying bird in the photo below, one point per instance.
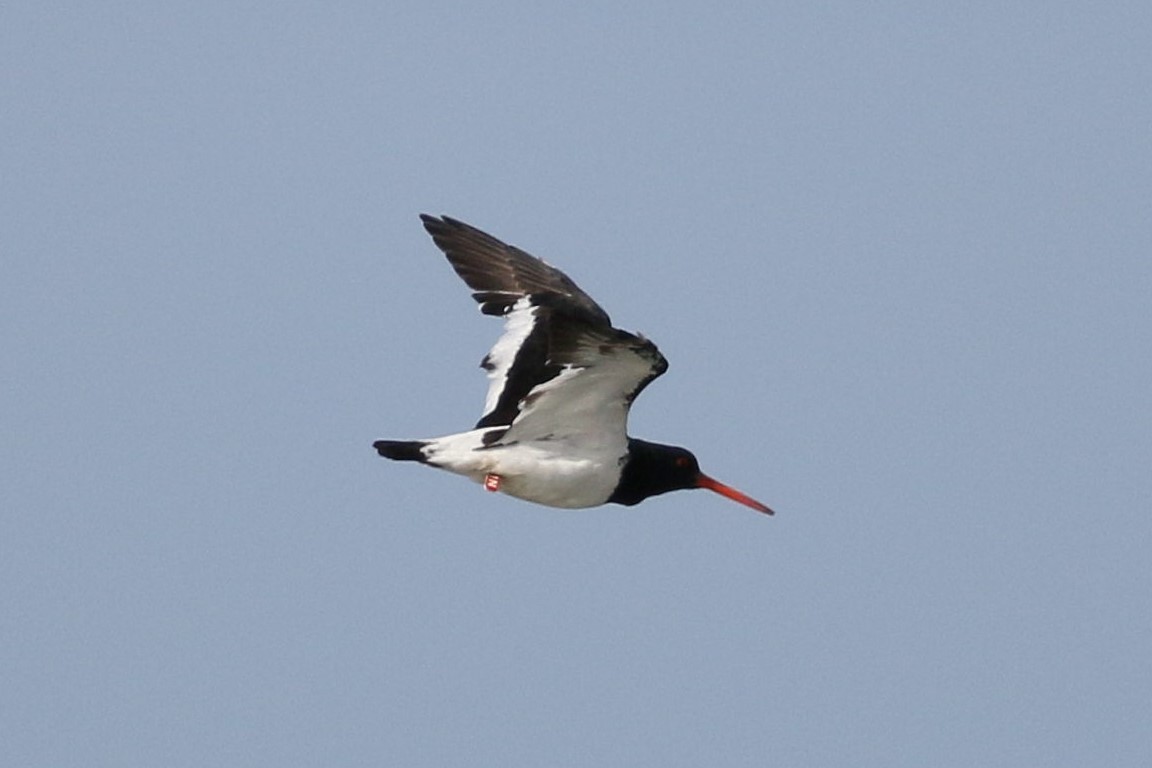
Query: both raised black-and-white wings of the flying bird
552,331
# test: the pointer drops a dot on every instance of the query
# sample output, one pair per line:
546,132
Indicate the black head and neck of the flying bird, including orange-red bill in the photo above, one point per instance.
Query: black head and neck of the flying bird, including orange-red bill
653,469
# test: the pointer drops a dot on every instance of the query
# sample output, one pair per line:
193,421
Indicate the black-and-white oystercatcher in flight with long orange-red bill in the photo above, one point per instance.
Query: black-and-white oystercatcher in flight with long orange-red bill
562,383
